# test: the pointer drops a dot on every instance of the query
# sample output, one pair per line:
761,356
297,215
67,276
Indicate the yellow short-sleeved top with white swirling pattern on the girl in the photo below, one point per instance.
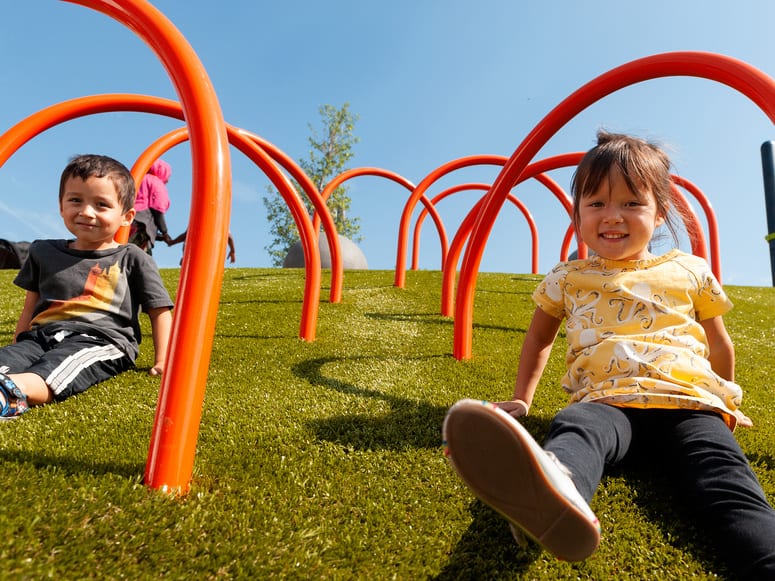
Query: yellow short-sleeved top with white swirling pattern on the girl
634,338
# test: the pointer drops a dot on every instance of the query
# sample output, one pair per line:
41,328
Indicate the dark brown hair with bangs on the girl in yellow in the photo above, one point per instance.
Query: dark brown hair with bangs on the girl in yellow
643,166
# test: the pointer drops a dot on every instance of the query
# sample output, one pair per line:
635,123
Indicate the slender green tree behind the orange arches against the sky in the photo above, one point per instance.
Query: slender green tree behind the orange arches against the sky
330,150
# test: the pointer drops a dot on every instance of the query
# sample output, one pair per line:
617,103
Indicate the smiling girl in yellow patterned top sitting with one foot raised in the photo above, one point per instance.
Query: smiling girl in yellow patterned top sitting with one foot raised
650,373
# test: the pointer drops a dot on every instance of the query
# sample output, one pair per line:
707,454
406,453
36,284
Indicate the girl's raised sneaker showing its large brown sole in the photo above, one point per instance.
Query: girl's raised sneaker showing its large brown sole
505,468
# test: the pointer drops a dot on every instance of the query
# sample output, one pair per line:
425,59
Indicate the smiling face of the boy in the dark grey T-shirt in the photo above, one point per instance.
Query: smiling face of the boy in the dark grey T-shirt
92,212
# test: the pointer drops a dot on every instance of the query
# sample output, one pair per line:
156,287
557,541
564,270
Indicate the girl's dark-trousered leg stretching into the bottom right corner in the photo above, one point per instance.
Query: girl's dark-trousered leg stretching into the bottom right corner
728,498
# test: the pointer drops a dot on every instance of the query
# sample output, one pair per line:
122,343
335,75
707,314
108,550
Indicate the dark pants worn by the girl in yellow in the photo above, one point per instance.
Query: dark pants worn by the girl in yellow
711,471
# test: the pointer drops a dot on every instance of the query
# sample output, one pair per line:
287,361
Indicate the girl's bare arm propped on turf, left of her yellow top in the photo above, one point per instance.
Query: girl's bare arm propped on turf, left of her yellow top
532,360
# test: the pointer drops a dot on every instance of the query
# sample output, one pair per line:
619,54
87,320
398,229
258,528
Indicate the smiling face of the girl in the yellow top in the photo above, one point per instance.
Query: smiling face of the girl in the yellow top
615,223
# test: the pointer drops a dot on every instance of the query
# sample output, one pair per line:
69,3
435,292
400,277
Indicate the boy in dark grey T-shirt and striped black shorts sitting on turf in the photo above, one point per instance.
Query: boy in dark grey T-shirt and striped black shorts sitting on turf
79,324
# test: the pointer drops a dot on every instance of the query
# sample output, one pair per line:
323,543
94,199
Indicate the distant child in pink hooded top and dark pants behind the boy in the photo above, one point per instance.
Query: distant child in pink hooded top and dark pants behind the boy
151,206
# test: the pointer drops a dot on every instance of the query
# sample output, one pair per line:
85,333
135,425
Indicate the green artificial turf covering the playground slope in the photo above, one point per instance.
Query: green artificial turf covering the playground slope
324,459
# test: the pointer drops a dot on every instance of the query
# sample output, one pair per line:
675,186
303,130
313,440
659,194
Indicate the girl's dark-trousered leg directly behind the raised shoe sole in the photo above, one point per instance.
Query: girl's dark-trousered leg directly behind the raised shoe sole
587,436
